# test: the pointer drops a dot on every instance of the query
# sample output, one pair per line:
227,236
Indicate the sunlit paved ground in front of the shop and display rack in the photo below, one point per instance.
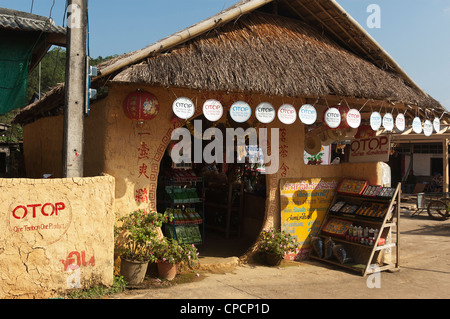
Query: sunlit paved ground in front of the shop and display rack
424,262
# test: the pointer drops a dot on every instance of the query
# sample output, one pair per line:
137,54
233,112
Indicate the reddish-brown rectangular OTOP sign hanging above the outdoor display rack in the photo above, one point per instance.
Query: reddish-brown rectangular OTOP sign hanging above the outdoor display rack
371,149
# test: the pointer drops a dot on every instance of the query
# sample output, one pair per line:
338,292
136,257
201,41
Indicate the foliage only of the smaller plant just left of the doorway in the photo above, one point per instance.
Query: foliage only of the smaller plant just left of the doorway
170,251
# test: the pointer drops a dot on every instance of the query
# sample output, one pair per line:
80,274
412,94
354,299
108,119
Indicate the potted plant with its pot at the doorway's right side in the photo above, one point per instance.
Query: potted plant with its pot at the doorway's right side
274,245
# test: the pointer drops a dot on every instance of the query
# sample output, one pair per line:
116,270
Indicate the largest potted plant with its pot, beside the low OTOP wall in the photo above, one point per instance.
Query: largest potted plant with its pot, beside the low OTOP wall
135,238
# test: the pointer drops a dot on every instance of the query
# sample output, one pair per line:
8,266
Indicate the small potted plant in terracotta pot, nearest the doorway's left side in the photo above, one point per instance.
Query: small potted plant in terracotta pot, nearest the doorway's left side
169,253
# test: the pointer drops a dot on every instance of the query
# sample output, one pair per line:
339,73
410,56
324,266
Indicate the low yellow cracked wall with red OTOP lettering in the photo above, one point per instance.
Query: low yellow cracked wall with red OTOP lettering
56,234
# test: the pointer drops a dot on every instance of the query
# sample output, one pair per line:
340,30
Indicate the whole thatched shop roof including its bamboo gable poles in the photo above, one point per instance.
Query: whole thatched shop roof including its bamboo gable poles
283,47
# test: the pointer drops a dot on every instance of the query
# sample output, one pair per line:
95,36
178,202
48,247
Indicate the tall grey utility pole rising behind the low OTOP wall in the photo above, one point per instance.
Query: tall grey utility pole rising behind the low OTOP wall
75,86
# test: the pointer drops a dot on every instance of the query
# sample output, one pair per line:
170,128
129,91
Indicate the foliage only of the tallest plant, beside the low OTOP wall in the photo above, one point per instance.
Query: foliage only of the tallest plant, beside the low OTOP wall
137,234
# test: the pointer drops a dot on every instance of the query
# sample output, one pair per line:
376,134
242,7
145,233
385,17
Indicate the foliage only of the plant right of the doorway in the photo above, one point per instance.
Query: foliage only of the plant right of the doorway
277,242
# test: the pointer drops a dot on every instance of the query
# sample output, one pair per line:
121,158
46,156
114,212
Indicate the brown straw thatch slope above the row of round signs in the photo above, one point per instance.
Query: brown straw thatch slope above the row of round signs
271,55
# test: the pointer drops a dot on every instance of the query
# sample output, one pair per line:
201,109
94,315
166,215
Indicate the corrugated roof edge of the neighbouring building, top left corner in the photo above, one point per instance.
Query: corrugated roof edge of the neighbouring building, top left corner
18,20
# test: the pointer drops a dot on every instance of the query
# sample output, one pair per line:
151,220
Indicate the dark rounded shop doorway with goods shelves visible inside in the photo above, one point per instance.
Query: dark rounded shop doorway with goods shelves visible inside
231,197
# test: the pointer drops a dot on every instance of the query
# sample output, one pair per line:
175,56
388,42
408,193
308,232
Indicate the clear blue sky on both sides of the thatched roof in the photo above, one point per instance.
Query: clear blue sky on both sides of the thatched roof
416,33
